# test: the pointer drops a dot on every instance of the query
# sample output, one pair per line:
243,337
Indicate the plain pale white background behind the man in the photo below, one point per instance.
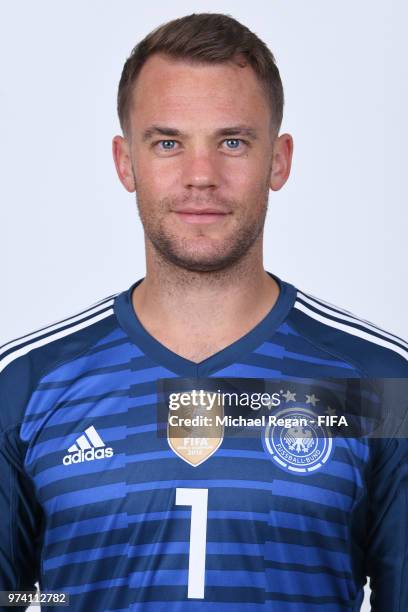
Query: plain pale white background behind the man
70,233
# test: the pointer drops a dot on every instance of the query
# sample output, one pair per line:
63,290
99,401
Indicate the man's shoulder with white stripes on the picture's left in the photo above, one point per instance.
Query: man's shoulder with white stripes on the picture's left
25,360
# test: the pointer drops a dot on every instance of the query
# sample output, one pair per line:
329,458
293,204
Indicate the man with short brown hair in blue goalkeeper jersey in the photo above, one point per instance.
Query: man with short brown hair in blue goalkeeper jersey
94,503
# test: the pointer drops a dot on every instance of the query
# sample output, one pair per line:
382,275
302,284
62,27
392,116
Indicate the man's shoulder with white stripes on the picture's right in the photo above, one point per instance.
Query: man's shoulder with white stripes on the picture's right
373,350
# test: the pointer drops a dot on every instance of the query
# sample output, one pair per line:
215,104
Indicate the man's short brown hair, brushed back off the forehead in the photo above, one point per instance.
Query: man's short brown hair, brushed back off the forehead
207,38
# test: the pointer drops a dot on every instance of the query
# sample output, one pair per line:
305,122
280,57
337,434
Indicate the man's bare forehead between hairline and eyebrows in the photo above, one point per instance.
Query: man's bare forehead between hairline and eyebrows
174,90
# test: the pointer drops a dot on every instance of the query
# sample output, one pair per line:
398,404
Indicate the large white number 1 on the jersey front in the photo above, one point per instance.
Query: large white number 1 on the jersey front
198,500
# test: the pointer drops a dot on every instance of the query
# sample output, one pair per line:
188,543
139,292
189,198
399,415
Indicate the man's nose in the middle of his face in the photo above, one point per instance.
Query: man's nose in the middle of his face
201,169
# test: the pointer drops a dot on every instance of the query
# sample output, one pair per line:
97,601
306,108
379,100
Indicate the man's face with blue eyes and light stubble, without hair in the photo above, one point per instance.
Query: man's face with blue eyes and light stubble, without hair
200,150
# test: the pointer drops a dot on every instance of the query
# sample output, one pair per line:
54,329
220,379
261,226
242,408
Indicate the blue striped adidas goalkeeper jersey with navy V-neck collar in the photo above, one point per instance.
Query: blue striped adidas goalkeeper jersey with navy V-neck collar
94,503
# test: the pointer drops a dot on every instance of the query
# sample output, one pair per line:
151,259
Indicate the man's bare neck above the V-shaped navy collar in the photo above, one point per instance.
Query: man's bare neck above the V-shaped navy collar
215,308
